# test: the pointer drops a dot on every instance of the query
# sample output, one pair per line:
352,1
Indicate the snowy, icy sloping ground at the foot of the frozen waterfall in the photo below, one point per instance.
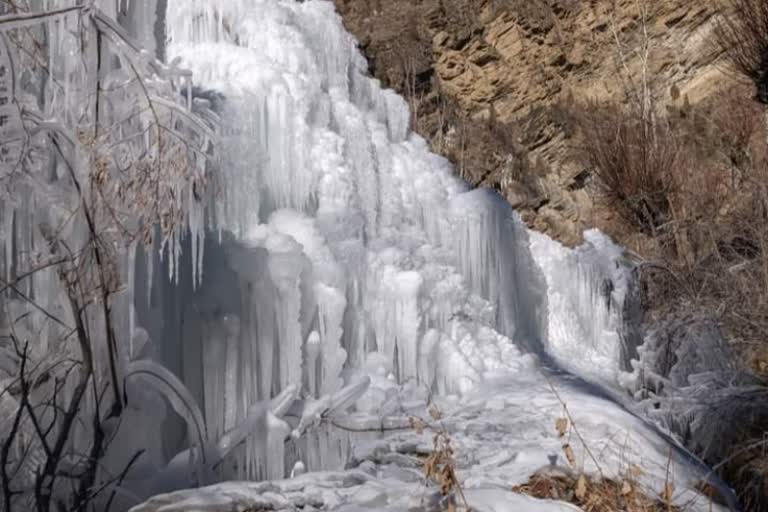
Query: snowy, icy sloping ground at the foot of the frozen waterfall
503,432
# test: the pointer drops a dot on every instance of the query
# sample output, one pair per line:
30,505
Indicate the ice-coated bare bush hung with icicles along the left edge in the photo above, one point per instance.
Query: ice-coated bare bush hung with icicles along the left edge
118,157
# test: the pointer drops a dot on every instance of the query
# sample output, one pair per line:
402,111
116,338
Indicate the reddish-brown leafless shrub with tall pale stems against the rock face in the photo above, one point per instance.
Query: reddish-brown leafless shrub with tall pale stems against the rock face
632,150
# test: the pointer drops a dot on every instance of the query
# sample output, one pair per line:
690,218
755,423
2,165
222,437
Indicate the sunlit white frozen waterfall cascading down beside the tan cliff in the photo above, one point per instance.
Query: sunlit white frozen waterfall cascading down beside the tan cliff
350,234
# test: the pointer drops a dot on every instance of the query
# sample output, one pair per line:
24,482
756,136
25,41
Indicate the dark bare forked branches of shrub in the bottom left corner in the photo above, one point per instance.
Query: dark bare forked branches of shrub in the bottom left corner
39,449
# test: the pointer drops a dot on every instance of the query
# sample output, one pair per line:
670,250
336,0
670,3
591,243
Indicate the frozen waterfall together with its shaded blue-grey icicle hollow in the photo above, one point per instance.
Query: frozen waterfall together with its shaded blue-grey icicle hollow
340,267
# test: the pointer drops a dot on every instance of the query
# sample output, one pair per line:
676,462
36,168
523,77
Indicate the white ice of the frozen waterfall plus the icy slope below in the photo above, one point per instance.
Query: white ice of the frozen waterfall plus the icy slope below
354,281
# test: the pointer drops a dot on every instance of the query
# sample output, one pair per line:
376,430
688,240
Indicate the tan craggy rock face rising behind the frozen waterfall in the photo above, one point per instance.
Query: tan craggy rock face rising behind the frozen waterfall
491,81
